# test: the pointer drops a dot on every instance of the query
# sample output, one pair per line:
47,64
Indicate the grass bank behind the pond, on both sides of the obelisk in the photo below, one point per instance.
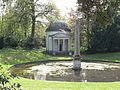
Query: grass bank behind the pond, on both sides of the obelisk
12,56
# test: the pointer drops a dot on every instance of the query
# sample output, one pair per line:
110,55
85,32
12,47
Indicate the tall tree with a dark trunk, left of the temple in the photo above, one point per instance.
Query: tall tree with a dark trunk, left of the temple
32,9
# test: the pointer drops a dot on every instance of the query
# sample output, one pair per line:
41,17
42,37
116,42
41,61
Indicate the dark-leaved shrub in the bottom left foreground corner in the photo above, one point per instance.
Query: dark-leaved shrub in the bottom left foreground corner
5,81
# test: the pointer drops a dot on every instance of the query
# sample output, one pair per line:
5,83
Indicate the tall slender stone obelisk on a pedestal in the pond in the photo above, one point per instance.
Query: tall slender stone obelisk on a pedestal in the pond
77,58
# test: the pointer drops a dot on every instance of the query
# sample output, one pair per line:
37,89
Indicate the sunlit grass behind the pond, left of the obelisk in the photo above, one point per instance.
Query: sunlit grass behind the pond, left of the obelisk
12,56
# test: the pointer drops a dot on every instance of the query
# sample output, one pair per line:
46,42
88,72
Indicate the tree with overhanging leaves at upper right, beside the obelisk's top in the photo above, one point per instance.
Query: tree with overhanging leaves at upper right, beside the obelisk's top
99,11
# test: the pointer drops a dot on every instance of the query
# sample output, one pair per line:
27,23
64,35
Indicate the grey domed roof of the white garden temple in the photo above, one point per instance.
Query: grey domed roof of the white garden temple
58,25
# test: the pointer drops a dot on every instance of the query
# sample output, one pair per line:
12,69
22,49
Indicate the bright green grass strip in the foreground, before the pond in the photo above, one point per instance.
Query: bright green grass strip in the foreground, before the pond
53,85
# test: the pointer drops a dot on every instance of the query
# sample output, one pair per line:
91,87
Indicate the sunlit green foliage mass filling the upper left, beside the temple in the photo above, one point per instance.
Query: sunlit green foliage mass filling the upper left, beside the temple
19,21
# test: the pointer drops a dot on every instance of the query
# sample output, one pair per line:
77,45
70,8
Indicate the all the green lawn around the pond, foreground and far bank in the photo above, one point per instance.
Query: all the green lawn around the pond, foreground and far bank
9,57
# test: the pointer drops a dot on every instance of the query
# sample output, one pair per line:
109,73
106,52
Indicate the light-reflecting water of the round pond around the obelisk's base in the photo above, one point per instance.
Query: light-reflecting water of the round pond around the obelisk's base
62,71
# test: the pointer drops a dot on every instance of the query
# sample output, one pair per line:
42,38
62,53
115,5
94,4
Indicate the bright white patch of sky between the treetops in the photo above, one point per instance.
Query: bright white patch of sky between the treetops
65,5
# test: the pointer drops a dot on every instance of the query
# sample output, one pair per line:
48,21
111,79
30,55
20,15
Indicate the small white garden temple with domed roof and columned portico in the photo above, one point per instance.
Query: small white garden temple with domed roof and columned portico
58,38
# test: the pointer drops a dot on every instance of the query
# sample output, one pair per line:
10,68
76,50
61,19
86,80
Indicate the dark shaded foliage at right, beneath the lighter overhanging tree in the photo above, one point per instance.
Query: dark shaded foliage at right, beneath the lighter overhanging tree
107,40
